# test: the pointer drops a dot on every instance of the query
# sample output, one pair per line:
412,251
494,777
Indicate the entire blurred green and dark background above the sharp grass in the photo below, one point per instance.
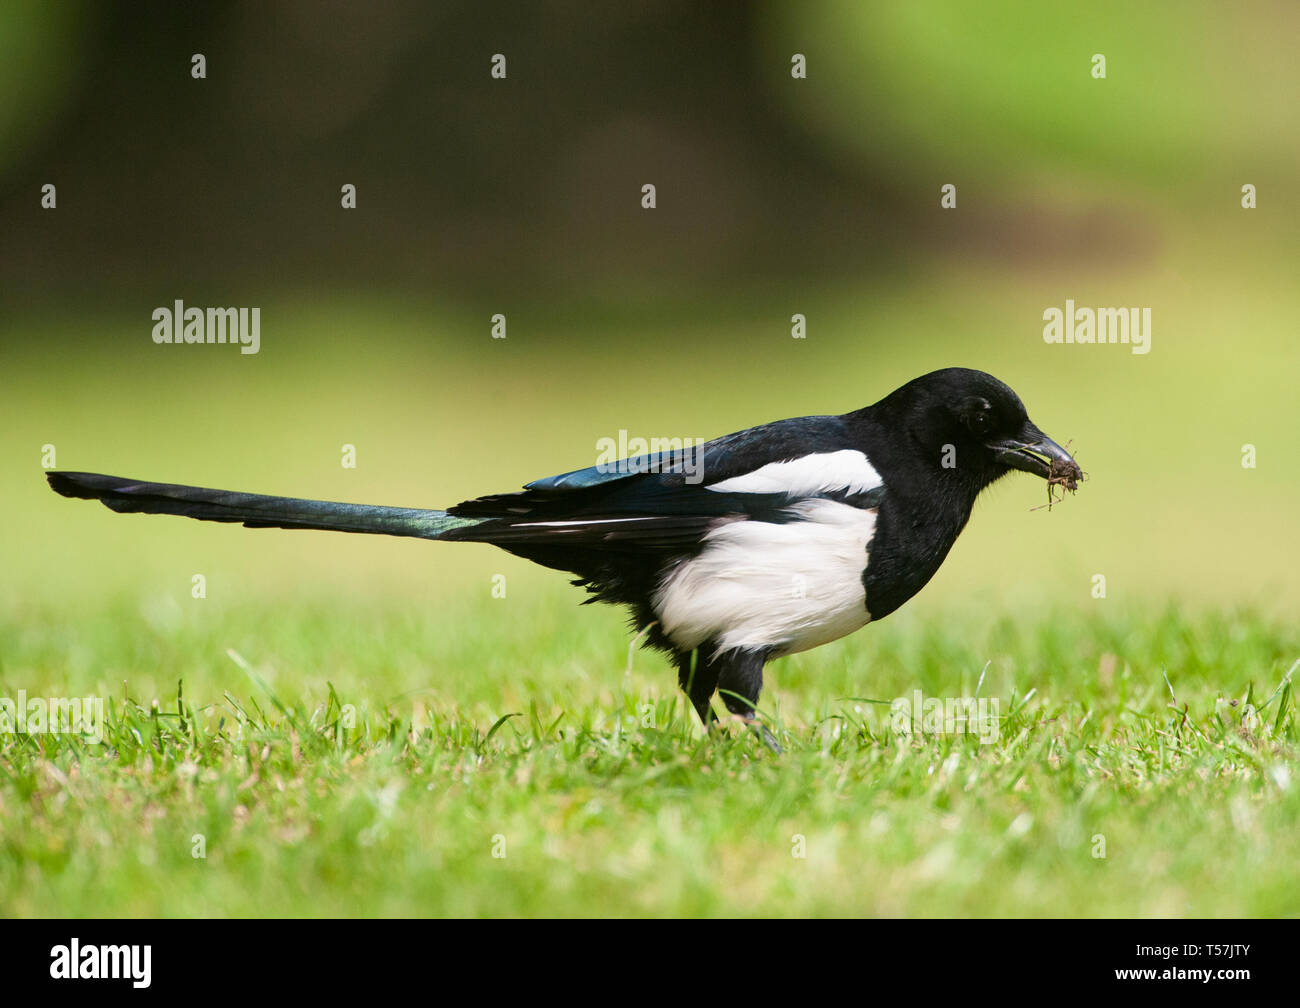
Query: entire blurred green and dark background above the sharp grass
523,197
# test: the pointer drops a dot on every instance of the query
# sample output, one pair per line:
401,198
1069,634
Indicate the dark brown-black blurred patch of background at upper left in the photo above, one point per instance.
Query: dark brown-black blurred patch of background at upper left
467,184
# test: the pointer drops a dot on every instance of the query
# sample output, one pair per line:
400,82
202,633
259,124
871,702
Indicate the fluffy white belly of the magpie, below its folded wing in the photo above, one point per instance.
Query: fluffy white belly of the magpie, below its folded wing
782,587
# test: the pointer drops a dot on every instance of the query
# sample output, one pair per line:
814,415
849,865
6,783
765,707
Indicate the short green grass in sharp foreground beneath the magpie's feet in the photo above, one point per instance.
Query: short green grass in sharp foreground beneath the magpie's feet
365,759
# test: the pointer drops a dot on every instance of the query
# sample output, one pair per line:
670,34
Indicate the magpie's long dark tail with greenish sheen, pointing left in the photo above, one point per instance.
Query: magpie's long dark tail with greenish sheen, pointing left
254,511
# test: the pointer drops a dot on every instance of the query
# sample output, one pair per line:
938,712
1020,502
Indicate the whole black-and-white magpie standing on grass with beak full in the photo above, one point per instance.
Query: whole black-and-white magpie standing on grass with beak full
747,548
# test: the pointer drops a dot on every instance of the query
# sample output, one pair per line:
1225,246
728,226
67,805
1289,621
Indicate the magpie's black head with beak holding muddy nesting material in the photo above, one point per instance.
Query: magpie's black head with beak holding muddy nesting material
974,425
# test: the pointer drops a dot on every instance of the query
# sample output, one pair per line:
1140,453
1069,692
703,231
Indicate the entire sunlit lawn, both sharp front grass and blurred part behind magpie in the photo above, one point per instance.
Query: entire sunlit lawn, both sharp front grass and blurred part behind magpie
354,725
